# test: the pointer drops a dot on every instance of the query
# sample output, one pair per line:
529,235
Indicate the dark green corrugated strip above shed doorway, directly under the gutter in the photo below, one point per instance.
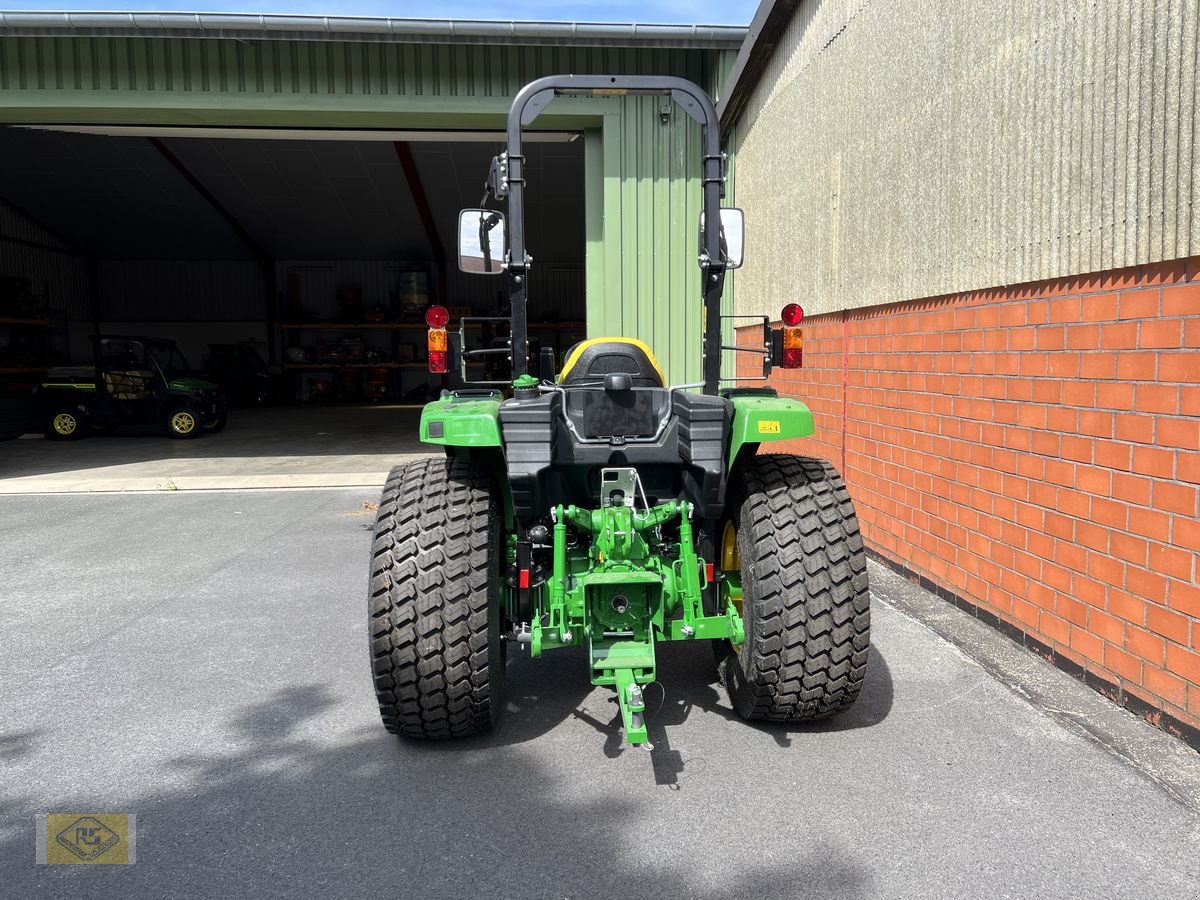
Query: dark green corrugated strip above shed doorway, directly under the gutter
297,68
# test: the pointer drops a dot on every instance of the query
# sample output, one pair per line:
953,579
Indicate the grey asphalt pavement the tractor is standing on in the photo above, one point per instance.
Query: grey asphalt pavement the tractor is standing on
201,661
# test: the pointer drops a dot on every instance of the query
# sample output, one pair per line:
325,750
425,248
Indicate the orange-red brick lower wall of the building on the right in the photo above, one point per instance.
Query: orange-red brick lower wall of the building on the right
1034,451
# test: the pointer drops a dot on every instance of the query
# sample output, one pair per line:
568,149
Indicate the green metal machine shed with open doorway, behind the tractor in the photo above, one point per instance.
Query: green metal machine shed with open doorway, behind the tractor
292,184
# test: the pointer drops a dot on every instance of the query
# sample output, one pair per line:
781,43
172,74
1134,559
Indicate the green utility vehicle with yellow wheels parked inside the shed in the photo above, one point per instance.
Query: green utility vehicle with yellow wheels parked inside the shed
135,381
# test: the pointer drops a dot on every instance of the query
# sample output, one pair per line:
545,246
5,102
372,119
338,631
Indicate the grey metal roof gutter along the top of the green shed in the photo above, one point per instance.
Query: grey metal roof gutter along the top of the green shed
257,27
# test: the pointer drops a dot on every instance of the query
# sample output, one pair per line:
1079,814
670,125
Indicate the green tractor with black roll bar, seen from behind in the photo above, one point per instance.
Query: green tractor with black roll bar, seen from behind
601,508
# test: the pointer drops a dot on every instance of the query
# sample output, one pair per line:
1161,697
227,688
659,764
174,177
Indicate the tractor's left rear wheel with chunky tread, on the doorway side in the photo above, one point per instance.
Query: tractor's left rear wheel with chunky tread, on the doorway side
435,604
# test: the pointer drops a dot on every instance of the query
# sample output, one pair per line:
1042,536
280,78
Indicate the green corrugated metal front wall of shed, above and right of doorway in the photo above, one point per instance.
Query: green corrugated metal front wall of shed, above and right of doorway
643,189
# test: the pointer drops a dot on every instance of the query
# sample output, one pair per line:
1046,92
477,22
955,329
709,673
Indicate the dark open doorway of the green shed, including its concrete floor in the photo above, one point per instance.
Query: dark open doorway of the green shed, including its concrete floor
291,267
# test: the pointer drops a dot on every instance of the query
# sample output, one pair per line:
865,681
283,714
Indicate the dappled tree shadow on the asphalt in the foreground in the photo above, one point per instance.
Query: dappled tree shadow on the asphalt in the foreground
302,795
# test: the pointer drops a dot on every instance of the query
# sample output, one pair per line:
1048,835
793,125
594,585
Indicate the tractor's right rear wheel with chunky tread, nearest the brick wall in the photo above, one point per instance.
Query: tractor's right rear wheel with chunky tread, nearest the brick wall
791,543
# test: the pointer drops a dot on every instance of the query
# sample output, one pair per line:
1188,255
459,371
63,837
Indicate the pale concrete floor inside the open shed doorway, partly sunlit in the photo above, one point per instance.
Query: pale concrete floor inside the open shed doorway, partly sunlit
277,447
